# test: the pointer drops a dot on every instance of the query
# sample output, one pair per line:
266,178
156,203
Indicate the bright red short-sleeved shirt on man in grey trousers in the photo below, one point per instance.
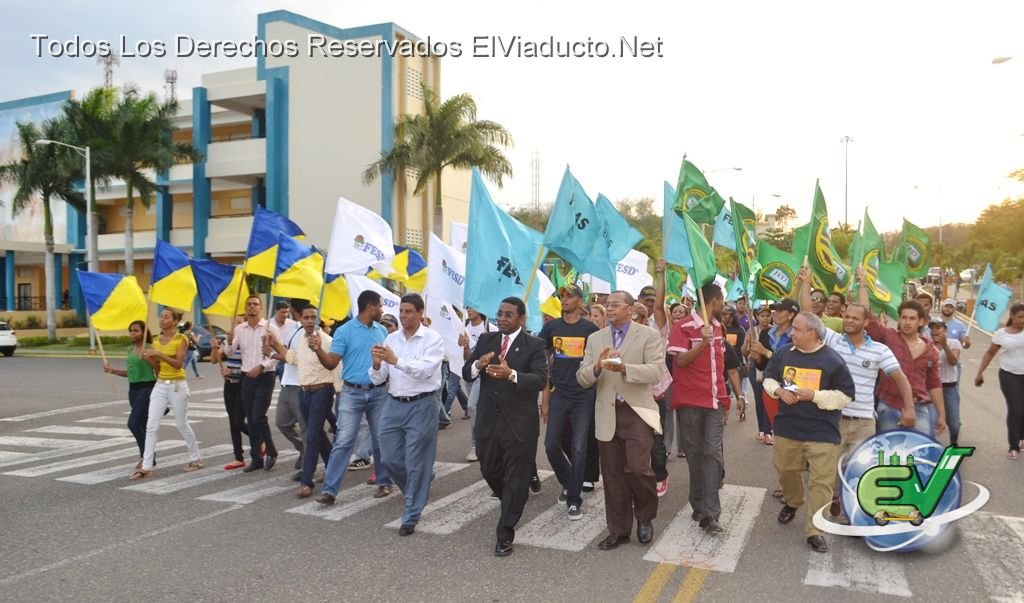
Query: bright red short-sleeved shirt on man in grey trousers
702,383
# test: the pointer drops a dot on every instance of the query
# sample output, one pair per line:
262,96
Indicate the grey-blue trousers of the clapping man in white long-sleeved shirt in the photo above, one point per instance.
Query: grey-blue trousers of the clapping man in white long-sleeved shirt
409,445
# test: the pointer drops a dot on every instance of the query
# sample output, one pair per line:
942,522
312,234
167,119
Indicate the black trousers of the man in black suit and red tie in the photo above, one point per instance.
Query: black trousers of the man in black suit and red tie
507,466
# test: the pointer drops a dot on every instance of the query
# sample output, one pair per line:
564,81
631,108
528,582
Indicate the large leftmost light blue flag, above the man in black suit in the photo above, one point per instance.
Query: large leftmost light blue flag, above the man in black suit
502,253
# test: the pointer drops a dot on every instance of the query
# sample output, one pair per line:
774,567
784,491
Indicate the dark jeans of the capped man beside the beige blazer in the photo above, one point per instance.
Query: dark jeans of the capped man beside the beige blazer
578,414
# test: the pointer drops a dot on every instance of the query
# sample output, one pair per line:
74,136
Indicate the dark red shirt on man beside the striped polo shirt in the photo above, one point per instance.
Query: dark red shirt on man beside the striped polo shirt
923,372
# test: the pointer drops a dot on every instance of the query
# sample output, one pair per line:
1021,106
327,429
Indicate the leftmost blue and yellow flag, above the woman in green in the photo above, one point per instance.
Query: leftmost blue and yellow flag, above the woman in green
114,301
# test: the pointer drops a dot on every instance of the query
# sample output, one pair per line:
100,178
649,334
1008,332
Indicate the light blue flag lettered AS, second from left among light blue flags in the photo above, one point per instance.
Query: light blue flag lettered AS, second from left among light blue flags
574,227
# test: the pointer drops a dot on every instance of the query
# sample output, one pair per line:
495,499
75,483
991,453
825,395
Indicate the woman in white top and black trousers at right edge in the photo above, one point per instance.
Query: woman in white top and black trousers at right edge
1011,341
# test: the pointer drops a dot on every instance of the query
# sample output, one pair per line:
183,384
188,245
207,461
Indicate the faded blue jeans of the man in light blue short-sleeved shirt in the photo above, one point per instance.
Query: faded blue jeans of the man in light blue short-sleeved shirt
353,406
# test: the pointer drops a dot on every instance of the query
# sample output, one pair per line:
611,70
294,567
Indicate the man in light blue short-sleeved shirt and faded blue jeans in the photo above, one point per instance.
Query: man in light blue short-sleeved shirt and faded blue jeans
360,397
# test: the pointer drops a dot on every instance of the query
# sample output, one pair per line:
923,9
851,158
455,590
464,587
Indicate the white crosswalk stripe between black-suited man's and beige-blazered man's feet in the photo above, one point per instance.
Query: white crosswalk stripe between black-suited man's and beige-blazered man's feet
553,530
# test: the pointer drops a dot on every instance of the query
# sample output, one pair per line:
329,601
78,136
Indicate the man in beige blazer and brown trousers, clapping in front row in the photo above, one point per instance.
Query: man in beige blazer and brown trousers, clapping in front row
624,360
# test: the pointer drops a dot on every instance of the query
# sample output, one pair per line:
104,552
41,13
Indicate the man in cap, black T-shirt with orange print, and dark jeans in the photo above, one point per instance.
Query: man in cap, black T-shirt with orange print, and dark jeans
569,406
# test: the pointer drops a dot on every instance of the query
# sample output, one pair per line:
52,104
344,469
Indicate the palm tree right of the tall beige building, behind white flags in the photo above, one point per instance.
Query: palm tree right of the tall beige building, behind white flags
447,135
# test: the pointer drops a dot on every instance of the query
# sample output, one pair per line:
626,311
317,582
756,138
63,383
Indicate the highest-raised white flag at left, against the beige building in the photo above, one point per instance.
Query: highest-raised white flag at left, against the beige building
360,239
